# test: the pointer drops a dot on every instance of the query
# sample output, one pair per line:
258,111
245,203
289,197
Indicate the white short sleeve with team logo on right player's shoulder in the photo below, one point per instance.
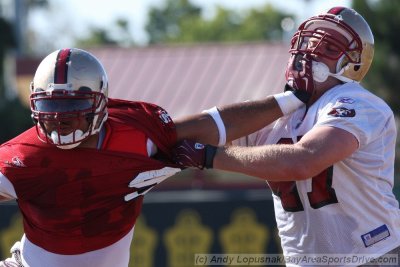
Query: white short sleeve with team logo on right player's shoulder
364,118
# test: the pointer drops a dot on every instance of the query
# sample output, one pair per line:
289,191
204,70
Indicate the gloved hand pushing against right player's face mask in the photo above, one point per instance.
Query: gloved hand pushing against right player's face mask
299,76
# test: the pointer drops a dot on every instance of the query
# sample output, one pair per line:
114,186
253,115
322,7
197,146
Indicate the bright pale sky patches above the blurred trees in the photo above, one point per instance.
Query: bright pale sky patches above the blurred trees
75,17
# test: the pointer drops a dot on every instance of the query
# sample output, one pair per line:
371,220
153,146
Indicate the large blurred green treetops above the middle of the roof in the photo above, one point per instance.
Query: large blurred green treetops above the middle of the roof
181,22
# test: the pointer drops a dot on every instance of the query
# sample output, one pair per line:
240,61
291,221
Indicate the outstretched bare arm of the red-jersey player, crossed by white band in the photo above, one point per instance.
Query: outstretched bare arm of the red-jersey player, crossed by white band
239,119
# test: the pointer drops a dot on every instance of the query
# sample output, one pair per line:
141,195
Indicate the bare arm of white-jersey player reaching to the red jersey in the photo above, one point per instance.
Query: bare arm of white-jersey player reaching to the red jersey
316,151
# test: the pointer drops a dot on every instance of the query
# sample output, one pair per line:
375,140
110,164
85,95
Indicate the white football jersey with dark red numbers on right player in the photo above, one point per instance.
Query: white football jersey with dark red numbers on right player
350,208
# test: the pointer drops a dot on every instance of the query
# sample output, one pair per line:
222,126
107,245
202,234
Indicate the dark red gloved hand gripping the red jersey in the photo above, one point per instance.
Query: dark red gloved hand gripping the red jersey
188,153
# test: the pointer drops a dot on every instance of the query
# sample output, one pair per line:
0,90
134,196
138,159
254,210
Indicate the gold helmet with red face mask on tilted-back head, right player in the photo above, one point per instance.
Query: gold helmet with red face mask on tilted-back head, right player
346,33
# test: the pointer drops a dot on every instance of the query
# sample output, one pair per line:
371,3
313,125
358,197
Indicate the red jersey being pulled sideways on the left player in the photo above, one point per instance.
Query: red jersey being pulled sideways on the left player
72,201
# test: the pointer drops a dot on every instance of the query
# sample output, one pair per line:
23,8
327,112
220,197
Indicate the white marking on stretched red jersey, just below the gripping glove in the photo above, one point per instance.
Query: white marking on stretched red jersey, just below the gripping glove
145,181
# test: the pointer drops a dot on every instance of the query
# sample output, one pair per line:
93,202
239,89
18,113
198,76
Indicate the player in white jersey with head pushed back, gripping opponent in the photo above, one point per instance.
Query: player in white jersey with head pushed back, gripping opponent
330,164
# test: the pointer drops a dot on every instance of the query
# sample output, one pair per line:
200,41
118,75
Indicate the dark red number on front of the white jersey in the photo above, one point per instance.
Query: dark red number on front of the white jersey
321,194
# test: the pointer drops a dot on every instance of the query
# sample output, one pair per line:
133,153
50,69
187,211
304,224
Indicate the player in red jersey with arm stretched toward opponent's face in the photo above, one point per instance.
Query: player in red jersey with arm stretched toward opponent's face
80,174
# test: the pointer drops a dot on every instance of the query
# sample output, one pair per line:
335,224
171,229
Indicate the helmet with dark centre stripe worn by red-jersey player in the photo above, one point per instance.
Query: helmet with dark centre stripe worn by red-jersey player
70,85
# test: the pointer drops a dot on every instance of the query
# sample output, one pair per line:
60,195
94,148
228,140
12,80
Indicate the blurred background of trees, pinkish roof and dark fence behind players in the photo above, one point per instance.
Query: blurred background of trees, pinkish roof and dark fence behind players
186,56
